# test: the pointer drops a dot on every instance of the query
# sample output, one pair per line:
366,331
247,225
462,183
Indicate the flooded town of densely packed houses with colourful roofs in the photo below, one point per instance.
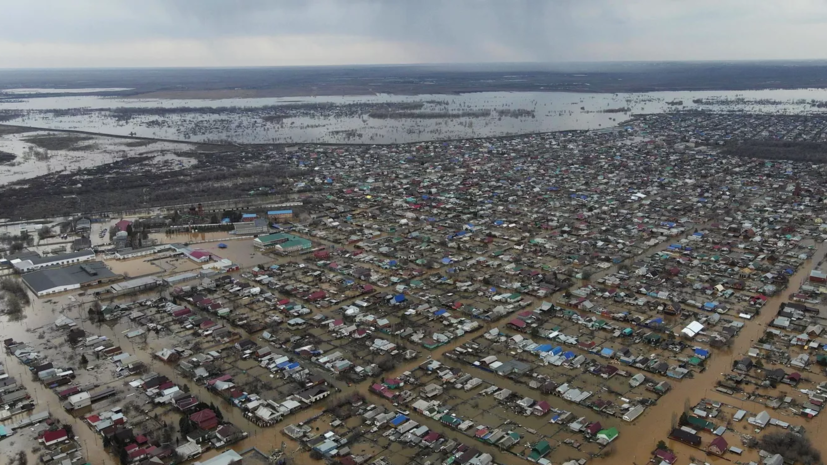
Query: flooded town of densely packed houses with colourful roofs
650,292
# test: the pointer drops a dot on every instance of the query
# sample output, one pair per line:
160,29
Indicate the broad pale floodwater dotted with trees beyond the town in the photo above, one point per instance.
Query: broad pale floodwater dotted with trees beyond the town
382,118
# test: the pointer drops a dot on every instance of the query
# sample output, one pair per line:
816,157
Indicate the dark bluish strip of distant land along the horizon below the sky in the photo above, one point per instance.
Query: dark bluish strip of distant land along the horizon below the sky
420,79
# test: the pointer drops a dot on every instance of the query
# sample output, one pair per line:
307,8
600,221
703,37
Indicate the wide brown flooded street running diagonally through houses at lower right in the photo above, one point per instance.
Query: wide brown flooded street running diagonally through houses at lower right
636,442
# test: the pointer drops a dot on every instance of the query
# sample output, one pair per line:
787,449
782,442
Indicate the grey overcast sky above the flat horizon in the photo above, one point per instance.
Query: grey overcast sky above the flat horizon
116,33
